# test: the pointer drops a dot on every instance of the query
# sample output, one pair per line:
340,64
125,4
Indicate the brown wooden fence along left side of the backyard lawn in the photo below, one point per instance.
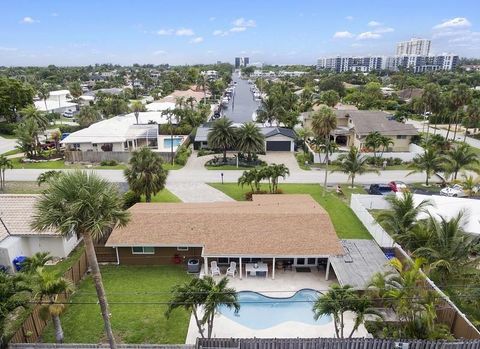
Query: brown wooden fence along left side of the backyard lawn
33,326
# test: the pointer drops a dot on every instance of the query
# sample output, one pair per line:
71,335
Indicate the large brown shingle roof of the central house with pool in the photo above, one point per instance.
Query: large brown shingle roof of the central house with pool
270,225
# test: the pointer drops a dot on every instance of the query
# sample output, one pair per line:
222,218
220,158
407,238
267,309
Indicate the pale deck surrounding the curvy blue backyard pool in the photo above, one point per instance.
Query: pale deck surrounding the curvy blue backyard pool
286,283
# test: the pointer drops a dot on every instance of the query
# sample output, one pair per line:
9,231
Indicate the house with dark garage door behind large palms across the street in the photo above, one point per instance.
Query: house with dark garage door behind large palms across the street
276,138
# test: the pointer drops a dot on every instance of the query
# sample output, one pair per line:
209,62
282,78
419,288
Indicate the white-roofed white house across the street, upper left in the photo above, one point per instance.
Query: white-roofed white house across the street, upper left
118,134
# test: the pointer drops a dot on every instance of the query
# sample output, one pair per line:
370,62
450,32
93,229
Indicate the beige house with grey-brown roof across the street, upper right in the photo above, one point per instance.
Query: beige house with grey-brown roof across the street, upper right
353,126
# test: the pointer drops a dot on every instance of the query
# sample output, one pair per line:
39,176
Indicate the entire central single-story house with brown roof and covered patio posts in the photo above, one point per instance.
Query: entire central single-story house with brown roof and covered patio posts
269,229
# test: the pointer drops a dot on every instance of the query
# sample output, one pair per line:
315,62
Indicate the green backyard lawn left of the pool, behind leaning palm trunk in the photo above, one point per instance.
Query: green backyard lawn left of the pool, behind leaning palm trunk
132,323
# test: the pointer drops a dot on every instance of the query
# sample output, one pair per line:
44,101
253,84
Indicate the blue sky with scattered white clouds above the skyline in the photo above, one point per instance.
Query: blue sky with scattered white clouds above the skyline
42,32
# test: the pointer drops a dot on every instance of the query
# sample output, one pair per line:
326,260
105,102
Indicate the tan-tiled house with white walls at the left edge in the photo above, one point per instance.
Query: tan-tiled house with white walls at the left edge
17,238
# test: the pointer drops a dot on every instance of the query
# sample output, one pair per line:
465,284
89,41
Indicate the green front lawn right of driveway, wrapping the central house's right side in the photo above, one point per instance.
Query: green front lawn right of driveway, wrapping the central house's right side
346,224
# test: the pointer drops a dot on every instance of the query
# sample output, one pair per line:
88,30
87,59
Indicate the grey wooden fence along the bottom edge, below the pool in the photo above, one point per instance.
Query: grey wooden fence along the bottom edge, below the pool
331,343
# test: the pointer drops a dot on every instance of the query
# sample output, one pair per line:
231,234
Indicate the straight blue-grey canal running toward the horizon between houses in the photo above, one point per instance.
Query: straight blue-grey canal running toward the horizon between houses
242,105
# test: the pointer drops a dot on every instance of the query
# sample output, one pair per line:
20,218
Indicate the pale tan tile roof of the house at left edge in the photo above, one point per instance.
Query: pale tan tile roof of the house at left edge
16,213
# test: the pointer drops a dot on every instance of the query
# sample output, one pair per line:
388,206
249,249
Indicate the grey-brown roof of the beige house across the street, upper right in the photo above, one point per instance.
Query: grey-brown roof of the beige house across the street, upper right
366,121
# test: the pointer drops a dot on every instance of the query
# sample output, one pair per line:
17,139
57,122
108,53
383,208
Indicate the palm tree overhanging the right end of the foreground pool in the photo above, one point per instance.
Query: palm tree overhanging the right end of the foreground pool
335,302
